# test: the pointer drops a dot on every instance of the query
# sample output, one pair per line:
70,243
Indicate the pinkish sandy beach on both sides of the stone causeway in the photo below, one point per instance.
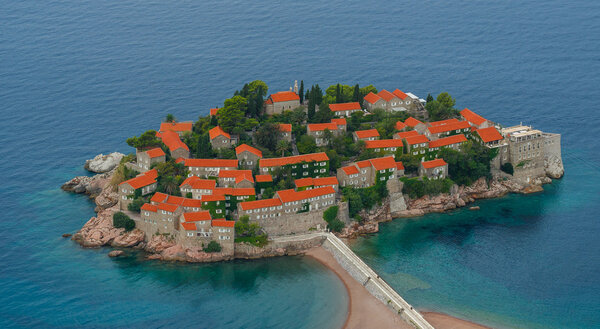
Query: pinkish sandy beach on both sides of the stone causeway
365,311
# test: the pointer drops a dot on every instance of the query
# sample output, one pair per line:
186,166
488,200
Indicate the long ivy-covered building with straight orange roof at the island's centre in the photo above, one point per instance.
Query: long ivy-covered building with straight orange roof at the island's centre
304,165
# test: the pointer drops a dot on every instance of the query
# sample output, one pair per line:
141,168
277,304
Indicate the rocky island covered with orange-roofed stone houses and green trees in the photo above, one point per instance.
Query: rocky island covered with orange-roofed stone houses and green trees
253,174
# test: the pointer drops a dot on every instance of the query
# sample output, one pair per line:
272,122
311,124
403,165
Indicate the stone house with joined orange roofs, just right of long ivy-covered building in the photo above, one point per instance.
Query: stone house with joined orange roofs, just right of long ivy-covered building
367,173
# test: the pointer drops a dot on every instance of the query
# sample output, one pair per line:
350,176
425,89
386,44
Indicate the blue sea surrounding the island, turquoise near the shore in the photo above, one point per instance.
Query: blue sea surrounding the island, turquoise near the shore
79,77
